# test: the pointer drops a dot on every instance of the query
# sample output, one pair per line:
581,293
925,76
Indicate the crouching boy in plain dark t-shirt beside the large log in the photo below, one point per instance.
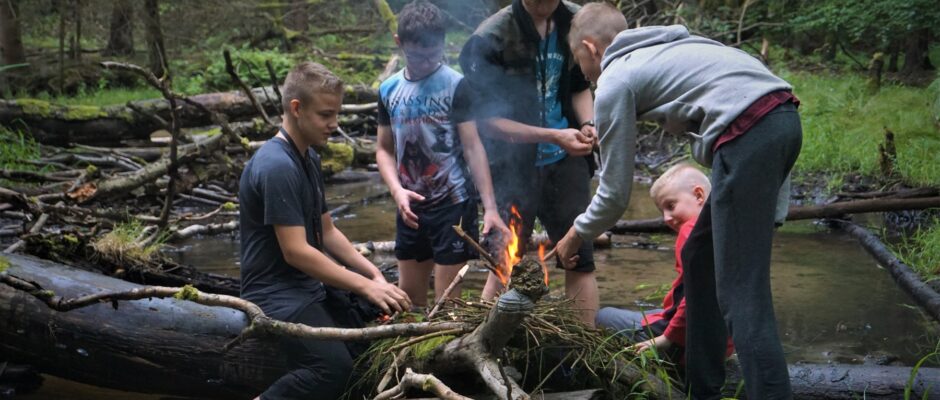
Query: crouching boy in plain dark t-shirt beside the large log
287,232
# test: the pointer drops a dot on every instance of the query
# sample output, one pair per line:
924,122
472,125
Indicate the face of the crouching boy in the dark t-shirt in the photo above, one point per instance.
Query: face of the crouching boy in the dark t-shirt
317,119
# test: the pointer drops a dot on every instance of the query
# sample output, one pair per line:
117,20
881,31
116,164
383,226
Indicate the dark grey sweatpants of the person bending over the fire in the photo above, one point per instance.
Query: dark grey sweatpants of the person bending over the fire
727,259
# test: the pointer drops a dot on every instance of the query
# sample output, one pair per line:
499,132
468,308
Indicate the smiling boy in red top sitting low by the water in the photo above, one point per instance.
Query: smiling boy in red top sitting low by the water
680,194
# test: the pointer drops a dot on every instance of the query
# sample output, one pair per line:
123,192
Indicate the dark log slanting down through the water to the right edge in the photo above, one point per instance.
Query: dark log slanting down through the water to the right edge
907,279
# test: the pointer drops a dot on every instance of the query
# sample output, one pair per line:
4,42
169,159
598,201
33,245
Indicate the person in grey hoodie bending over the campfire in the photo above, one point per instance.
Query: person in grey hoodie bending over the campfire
744,125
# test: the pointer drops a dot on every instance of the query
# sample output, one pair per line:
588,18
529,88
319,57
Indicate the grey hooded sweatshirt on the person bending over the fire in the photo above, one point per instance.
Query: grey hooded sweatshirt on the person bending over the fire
688,84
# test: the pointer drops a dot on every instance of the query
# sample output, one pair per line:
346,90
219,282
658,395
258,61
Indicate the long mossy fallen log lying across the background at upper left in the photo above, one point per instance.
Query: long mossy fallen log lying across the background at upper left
110,125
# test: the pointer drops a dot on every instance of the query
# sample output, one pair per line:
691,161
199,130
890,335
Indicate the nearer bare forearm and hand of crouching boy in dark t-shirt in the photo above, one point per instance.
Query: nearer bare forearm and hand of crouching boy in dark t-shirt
301,255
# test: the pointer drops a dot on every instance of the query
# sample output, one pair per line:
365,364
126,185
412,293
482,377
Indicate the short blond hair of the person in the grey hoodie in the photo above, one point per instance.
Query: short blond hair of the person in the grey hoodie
599,21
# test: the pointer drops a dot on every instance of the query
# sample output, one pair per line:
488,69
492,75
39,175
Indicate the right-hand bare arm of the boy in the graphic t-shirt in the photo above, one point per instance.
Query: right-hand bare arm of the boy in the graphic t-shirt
475,156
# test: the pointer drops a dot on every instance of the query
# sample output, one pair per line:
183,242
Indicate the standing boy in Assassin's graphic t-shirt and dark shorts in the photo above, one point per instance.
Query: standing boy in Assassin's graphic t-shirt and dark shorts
427,139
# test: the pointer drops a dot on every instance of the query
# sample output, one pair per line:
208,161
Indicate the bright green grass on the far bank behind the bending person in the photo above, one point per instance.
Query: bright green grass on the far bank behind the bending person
843,125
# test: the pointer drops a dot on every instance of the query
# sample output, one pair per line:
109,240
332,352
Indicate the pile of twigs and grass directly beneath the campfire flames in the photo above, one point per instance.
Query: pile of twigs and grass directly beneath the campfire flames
552,350
